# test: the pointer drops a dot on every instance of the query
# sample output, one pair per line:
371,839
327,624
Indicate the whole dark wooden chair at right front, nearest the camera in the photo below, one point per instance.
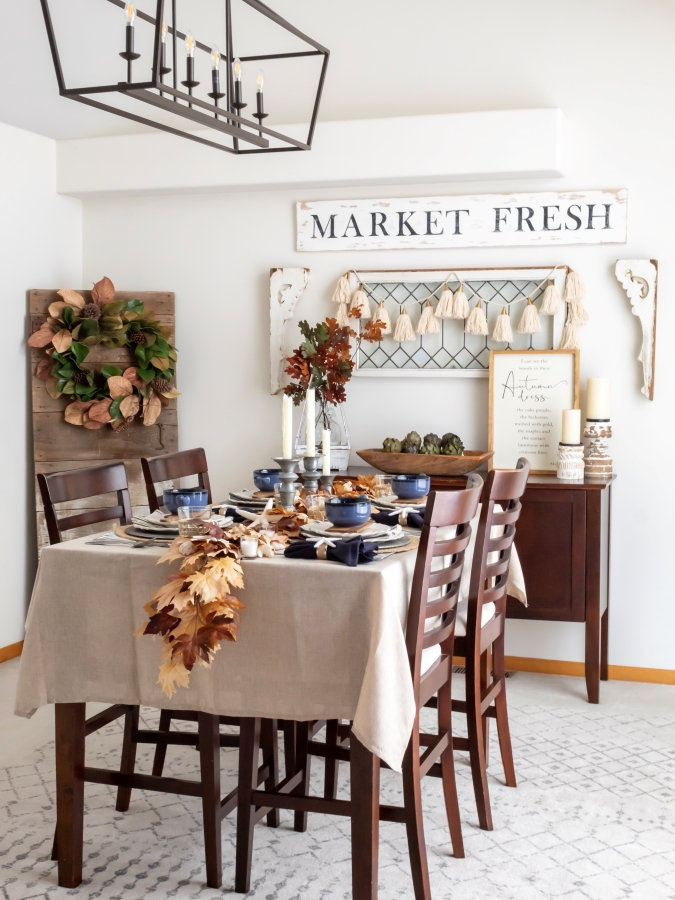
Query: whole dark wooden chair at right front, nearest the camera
429,642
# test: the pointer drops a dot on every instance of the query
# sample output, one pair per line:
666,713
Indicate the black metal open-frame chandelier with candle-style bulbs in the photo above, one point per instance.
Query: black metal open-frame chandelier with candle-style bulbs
224,112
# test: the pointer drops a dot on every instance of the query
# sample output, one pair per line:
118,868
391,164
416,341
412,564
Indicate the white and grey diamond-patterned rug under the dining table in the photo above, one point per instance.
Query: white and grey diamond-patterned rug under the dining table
593,818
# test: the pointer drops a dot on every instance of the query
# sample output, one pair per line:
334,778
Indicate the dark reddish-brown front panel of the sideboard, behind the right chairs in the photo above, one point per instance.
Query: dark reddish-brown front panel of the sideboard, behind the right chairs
551,544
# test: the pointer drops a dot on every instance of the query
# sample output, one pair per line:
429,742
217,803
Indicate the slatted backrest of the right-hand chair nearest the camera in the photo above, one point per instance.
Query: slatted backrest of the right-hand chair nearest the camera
444,509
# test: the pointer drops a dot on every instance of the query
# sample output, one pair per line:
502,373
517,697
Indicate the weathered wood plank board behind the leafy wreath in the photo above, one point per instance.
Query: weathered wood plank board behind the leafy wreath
59,446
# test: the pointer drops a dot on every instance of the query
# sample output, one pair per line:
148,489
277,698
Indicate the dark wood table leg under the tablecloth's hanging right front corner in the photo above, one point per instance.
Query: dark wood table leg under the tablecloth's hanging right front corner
365,798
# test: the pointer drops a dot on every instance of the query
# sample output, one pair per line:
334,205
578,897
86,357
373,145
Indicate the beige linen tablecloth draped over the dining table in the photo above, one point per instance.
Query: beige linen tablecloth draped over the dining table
317,640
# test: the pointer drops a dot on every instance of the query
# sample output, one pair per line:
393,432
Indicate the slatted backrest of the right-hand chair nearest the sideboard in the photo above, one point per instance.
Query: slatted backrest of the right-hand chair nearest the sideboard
500,506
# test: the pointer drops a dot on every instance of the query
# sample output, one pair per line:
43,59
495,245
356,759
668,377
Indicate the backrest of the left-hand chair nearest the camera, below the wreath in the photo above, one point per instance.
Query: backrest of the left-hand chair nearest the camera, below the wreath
78,484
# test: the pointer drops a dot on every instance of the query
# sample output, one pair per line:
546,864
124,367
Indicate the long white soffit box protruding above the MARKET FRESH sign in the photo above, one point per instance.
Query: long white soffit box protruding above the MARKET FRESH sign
525,143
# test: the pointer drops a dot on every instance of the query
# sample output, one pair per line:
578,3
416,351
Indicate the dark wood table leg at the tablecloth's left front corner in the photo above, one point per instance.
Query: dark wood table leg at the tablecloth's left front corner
69,727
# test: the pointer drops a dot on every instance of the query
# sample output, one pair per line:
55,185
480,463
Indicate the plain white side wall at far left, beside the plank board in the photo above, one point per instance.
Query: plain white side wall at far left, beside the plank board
40,246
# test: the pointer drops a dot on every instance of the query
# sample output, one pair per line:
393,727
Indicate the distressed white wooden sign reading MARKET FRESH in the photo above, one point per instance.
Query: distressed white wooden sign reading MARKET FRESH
482,220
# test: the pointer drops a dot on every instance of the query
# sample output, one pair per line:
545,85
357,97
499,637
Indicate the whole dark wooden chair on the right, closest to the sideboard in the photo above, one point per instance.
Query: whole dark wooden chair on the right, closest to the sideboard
480,631
